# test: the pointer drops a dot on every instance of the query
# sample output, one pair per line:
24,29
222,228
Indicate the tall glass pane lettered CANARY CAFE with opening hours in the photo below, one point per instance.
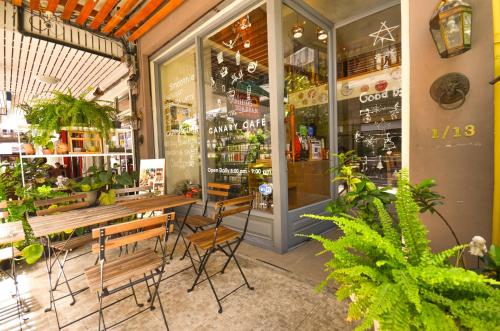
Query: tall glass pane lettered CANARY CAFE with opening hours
237,108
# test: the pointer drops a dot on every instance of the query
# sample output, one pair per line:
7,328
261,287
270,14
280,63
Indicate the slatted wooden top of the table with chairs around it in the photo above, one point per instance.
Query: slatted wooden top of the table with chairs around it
45,225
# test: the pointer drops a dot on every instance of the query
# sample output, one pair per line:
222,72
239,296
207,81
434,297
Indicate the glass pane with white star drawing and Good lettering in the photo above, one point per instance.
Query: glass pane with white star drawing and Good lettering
369,93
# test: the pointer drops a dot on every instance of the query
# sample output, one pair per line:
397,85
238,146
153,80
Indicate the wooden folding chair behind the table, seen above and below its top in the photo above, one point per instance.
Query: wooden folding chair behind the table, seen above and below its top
58,205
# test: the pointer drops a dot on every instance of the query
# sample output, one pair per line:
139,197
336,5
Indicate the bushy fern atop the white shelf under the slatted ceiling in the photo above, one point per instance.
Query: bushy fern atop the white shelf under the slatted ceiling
66,110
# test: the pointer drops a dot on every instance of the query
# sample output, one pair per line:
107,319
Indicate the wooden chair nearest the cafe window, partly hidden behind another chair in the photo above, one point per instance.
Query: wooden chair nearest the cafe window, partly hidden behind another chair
196,223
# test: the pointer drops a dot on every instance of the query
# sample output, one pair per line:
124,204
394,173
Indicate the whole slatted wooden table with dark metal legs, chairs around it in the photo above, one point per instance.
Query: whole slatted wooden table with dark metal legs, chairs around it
43,226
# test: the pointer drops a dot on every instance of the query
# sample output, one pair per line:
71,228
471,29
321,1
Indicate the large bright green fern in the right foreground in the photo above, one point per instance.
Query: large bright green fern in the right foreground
394,277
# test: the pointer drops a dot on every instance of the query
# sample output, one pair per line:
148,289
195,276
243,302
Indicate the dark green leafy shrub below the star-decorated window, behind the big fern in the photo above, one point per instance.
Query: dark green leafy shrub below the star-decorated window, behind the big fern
357,198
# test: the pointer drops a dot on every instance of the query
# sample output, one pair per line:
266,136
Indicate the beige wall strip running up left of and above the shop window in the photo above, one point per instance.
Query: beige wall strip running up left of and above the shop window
183,17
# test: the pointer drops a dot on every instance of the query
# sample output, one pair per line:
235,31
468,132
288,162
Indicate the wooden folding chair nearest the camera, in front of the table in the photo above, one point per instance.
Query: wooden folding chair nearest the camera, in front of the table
109,277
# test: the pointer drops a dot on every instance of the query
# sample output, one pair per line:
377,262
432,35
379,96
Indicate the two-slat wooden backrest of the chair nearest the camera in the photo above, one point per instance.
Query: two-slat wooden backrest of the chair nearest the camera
152,227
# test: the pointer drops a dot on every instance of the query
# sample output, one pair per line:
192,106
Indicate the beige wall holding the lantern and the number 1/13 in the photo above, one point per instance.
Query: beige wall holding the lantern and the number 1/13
463,167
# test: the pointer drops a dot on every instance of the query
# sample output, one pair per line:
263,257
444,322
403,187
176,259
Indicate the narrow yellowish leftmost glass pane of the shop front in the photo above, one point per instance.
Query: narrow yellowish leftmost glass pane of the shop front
181,127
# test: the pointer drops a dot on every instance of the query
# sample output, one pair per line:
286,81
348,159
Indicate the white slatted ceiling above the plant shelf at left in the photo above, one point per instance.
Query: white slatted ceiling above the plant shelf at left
23,58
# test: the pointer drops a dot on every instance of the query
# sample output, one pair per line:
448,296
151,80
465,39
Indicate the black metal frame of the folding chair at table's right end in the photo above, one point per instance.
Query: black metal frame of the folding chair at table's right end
230,253
